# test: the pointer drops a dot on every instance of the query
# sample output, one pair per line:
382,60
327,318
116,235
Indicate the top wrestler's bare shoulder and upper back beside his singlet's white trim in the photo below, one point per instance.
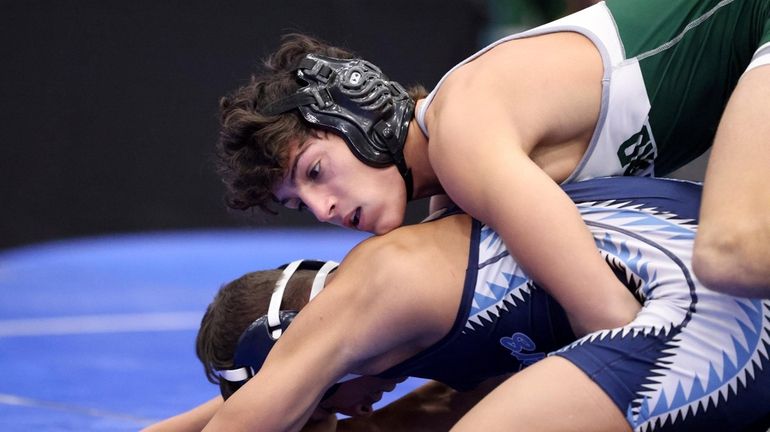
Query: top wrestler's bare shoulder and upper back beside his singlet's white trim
533,90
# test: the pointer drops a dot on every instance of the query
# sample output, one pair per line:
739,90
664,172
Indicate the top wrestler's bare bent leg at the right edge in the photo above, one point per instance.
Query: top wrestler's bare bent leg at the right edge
732,247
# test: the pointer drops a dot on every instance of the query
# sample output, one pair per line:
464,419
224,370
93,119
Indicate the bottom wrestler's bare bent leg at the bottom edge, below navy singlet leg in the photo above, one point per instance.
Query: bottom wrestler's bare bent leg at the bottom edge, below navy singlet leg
551,395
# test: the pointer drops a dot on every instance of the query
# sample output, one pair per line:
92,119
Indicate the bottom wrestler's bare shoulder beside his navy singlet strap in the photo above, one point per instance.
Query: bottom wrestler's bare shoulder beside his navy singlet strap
409,281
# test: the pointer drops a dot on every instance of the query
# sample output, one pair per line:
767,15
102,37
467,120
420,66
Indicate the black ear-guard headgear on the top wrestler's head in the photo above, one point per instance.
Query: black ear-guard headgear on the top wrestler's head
355,99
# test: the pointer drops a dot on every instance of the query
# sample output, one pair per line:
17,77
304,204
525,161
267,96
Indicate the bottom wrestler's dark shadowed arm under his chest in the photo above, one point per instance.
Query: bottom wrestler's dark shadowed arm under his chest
431,407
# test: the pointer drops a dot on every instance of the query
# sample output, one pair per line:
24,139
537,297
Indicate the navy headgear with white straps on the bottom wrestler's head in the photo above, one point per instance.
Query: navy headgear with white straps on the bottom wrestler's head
258,339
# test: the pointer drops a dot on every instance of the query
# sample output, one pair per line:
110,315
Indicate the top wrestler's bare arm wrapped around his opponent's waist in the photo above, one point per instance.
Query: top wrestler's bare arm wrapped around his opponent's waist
479,151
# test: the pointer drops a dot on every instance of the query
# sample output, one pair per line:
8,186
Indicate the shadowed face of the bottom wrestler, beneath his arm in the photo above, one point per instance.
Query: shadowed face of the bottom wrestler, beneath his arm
355,397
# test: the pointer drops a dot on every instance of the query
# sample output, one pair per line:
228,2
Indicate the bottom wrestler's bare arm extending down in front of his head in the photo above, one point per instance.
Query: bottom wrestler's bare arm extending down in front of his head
340,331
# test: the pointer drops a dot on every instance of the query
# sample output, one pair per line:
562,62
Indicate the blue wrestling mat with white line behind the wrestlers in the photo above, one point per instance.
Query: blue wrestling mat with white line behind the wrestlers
99,334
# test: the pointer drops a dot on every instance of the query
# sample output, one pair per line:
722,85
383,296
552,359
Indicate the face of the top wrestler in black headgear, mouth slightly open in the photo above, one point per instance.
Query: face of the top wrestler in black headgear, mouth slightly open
325,178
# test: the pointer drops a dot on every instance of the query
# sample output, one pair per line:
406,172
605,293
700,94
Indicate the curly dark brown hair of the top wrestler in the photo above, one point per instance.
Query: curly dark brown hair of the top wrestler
253,148
